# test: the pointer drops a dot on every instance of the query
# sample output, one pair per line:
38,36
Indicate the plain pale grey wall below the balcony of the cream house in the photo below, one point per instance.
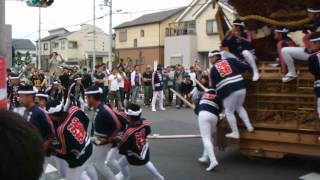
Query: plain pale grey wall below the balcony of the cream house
184,47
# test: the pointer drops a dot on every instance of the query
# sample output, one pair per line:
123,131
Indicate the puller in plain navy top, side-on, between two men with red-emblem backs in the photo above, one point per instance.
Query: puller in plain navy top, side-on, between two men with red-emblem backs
106,126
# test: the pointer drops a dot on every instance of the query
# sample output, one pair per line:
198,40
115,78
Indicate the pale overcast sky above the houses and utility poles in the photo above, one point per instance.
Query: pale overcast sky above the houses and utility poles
64,13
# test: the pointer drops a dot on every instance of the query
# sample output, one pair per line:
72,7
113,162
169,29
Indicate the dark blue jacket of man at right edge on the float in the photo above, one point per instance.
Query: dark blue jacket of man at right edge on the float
314,68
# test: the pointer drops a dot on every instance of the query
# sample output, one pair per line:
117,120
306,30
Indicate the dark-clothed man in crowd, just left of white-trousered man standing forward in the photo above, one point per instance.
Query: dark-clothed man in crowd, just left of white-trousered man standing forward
147,77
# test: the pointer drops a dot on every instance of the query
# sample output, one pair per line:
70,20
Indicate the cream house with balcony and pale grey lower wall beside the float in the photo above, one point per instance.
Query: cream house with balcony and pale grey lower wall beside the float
192,35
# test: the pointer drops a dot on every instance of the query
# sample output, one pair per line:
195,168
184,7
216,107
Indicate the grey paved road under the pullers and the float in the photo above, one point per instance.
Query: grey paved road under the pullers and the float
177,159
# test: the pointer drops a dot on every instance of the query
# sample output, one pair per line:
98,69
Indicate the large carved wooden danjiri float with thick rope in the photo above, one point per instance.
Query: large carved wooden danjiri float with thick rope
283,114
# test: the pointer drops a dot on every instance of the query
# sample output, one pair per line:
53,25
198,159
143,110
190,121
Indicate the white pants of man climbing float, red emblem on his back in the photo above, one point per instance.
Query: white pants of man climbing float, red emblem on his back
234,103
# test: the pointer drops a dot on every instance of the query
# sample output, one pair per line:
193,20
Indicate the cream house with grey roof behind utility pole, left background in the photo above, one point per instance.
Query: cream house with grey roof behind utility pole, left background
75,48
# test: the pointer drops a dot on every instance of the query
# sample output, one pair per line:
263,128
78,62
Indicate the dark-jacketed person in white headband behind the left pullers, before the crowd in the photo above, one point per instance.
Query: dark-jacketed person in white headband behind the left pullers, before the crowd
76,94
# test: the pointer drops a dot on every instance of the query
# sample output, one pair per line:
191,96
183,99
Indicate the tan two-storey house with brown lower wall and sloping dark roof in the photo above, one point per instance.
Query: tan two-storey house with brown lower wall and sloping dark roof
141,41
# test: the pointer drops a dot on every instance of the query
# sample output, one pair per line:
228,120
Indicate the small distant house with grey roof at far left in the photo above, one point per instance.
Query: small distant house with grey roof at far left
24,46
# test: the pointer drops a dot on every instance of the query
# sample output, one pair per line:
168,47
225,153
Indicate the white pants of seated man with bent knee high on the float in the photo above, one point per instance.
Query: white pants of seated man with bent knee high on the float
291,53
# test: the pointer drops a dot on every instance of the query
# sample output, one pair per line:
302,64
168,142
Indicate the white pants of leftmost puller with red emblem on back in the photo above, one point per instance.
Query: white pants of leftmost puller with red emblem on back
71,173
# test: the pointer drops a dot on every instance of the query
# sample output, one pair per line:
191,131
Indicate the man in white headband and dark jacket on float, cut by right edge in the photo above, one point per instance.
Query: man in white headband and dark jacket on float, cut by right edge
314,66
